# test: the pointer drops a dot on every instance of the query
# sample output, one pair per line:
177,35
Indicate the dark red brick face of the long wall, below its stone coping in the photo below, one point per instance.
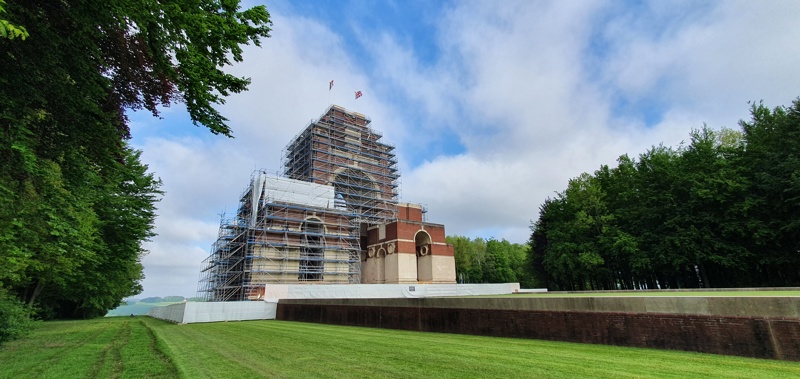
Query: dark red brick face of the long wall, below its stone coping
758,337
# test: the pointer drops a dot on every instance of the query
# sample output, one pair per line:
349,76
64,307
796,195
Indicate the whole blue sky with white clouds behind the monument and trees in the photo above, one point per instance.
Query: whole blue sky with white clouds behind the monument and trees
493,105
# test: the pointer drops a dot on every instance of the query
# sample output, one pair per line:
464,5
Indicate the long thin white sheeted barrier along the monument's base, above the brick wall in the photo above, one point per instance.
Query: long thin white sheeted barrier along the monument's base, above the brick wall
383,291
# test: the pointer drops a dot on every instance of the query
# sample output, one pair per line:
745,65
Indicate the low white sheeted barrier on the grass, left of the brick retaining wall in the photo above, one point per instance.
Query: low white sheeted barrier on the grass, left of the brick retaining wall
192,312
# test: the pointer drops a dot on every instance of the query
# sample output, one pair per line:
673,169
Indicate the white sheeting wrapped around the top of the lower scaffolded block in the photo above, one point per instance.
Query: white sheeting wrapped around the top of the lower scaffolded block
276,189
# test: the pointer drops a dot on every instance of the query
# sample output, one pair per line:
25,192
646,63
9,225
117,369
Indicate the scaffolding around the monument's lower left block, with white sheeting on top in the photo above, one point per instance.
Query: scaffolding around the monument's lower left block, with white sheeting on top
285,231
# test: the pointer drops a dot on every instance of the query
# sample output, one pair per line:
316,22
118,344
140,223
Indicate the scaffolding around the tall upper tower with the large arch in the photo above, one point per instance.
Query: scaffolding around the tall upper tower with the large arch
341,149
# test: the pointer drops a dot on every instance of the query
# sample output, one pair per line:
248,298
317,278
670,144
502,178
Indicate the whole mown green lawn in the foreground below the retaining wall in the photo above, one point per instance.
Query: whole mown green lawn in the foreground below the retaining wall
142,347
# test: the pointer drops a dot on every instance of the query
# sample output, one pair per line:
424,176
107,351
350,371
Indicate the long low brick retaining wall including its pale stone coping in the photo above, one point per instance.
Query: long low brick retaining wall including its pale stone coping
760,327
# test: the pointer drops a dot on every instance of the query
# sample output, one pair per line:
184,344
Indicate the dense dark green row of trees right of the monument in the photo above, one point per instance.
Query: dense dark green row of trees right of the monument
722,210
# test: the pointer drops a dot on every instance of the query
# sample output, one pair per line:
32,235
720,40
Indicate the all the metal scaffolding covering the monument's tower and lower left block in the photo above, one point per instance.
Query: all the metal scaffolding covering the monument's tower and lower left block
308,226
